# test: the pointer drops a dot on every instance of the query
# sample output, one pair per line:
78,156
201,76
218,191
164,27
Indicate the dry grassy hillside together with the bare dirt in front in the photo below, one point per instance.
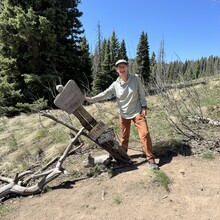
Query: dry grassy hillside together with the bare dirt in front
192,190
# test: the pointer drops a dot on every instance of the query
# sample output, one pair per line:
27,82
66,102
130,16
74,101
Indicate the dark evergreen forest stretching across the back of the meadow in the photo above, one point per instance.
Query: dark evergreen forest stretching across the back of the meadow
42,44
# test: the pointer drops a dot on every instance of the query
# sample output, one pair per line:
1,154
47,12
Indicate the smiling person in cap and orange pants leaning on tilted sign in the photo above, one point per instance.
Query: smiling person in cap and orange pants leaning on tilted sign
130,96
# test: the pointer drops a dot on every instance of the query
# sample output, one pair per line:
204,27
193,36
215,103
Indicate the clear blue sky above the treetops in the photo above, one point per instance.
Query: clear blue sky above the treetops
190,28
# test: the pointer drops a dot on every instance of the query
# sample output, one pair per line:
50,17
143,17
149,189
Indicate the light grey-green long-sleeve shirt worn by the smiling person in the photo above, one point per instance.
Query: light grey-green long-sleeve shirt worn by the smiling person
130,96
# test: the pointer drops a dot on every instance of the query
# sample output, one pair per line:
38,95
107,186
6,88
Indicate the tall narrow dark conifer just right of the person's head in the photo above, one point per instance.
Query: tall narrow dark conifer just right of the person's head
143,59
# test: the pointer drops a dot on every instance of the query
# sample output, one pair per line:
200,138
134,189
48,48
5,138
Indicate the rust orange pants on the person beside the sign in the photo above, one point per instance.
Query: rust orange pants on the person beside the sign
143,131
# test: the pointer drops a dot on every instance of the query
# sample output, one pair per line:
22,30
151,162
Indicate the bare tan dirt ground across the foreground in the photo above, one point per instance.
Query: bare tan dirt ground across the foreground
132,194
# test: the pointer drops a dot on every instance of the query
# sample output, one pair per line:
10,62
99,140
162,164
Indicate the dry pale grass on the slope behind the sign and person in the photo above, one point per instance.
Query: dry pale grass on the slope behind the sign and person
24,137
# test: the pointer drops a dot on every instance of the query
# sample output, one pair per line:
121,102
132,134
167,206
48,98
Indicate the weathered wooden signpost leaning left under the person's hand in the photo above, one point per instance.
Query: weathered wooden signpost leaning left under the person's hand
70,99
